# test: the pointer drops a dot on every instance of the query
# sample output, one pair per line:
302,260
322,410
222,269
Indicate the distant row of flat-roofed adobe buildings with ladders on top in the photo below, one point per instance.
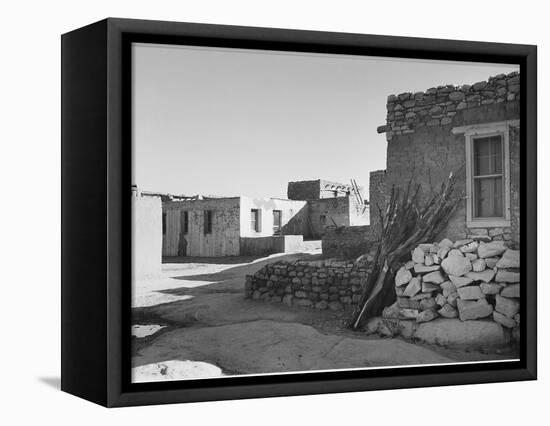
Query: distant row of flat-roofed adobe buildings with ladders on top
232,226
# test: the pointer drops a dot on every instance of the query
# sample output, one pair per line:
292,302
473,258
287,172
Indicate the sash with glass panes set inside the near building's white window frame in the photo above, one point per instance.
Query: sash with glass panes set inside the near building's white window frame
488,177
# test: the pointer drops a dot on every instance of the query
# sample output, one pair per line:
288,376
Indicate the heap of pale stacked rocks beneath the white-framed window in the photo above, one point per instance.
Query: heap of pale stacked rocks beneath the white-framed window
468,279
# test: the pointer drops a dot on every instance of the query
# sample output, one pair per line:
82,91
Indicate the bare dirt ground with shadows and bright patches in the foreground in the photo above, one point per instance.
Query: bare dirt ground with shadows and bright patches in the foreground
196,323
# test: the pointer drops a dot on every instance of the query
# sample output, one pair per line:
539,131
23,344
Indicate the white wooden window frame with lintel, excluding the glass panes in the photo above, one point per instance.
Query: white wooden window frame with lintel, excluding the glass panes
472,132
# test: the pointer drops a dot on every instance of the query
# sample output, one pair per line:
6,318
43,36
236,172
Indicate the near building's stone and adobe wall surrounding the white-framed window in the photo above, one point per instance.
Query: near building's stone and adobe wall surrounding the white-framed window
420,142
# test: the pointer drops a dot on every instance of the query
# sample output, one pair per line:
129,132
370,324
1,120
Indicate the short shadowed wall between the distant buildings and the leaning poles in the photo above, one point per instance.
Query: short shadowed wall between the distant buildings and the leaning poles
349,242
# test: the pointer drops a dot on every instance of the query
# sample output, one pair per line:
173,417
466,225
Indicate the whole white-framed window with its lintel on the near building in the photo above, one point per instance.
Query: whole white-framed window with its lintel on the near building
487,173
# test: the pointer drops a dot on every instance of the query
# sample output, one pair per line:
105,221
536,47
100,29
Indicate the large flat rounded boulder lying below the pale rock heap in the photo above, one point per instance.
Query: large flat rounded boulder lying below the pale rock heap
453,332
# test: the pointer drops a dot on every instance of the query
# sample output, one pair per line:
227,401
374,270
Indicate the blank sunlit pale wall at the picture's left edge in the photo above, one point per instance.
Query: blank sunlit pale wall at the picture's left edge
146,238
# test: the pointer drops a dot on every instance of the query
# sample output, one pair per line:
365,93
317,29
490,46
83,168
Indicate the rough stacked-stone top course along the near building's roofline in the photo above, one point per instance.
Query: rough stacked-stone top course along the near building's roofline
437,106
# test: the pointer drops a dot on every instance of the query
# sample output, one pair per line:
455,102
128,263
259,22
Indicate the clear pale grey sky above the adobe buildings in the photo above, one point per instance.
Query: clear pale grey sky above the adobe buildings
227,122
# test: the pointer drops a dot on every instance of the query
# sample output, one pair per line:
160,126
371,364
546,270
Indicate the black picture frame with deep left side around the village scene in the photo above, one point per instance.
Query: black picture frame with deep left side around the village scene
96,212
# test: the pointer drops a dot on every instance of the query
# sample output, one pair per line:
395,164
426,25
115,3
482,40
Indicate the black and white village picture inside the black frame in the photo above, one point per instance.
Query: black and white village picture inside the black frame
298,212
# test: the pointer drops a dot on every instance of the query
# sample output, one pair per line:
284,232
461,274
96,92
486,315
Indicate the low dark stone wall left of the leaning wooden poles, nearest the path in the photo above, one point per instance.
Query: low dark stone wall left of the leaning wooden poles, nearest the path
323,284
